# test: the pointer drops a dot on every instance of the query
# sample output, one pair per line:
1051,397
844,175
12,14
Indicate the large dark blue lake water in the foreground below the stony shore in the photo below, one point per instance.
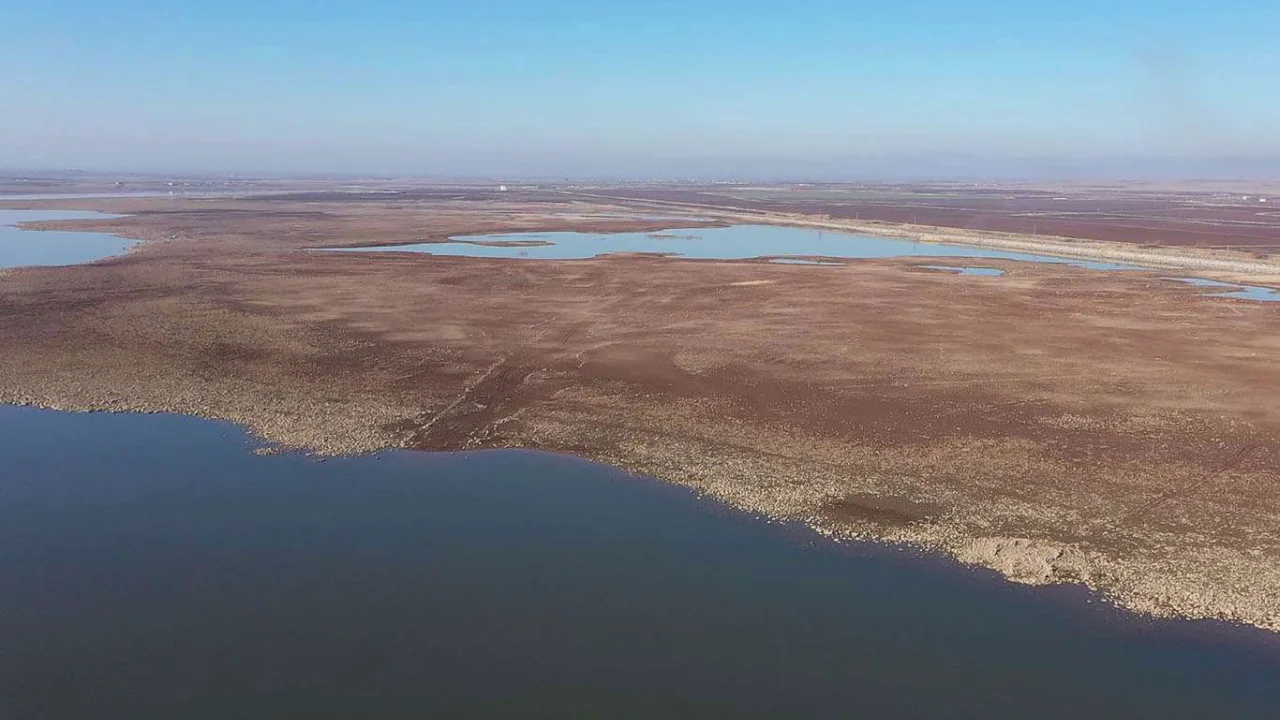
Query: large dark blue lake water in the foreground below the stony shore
154,567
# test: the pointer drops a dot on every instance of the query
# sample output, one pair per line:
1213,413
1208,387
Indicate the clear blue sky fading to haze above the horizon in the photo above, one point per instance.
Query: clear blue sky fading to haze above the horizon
655,88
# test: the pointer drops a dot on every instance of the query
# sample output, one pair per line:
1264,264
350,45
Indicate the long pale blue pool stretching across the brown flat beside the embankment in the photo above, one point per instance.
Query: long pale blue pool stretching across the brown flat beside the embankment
738,243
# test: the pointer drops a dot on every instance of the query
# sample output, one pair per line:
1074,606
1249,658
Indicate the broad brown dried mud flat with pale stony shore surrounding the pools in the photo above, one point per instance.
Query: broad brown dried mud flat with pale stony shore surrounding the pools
1057,425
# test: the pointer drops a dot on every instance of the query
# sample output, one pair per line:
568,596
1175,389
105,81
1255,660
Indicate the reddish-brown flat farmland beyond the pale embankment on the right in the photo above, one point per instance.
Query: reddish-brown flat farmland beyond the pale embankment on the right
1209,216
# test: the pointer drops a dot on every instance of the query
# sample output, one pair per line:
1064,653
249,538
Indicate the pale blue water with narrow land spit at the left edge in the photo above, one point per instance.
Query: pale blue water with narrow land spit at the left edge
54,248
